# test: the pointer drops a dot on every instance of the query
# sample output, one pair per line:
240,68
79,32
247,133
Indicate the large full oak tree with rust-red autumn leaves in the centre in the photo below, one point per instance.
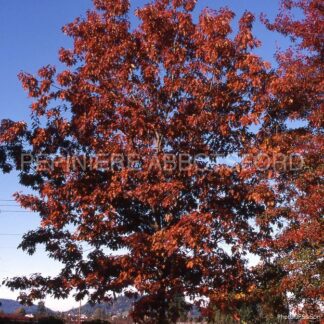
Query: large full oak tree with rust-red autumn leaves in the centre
169,88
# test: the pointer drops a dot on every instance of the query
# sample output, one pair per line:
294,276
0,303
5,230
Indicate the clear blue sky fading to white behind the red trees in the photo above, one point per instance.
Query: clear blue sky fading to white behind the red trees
30,36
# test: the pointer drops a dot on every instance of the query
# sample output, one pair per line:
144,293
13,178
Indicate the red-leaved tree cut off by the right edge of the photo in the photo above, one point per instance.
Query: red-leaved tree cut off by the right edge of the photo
293,126
